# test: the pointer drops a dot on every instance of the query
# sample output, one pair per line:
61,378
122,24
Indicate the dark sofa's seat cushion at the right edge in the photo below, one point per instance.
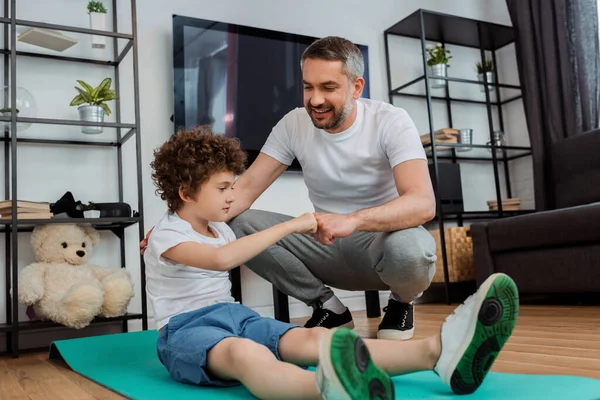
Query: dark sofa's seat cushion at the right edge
567,226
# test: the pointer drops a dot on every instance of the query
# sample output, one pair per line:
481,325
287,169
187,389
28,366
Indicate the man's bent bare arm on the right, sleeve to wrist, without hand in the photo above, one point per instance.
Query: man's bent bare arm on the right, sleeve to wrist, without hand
414,206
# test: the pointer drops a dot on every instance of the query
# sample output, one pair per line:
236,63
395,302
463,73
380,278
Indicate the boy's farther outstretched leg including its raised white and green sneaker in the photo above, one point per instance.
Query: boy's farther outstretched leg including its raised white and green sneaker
462,354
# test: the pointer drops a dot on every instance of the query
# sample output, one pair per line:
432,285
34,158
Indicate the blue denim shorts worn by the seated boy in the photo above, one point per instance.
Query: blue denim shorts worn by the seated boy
184,342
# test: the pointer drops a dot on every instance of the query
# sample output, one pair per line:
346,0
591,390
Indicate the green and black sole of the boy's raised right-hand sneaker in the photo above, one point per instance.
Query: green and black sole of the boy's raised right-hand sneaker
496,319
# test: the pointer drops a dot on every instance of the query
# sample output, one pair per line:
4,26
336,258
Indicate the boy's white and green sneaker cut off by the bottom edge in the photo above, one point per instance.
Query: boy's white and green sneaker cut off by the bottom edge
346,371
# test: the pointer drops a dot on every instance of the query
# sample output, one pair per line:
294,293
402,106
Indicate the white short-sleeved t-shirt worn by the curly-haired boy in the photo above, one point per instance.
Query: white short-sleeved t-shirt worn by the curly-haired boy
176,288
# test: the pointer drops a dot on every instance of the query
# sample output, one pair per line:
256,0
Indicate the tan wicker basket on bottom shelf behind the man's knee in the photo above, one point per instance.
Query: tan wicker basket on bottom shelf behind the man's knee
459,252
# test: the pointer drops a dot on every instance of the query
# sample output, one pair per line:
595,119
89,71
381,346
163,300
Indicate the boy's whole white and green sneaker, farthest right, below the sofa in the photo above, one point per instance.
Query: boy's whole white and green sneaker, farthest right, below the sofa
475,333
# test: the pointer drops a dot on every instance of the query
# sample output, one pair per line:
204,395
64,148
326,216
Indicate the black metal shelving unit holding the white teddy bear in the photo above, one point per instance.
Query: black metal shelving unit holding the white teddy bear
12,227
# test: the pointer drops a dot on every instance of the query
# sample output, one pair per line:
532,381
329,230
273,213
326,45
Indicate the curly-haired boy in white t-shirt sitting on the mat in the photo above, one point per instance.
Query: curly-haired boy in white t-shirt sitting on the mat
208,339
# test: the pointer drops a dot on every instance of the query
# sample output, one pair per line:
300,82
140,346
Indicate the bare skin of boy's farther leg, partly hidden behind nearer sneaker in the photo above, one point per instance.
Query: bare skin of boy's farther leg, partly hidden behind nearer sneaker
300,347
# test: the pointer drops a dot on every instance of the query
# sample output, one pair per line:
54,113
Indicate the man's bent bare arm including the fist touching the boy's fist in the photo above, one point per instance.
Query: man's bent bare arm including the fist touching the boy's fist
414,206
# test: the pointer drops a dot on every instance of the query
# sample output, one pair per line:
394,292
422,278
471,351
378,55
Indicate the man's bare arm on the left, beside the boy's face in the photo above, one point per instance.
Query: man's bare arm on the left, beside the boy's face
252,183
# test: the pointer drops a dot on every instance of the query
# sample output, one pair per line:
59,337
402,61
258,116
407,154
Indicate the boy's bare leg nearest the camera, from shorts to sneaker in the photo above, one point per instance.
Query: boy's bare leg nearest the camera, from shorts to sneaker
237,359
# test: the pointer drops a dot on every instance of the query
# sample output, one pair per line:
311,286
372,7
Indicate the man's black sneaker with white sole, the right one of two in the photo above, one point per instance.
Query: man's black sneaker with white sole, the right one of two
398,321
